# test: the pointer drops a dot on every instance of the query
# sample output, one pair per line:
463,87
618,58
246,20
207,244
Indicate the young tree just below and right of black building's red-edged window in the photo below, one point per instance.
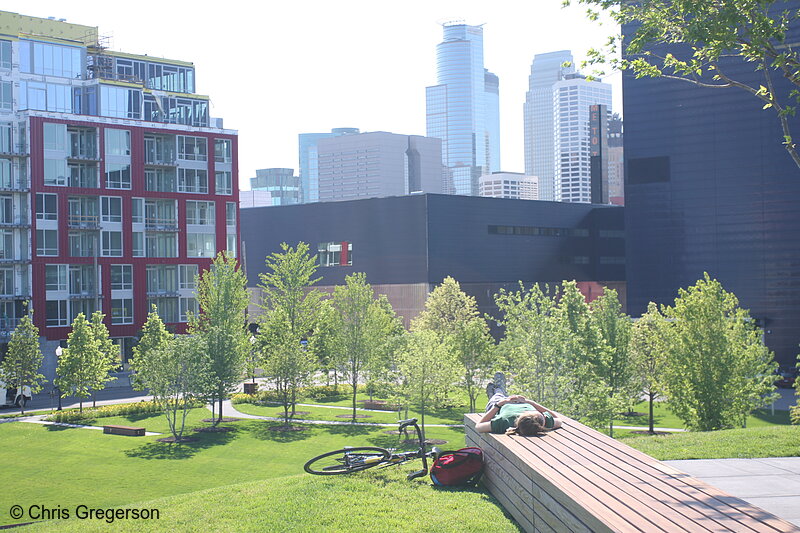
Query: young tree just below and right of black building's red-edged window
362,325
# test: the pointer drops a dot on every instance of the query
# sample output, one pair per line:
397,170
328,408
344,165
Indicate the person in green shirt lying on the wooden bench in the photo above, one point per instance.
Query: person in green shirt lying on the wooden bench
514,415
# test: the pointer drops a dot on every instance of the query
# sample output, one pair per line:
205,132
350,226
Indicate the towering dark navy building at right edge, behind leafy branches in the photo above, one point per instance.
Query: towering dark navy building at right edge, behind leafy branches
710,188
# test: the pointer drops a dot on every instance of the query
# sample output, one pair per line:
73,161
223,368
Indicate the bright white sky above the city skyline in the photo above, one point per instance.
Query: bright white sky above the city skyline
274,69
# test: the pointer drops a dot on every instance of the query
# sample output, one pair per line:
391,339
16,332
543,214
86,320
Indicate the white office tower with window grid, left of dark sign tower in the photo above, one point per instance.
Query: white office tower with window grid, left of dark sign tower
572,98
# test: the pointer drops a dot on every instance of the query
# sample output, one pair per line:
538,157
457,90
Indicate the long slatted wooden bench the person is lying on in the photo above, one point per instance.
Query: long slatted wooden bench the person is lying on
577,479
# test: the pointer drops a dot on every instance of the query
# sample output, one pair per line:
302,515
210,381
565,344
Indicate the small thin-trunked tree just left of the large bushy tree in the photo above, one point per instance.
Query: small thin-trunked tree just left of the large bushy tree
647,355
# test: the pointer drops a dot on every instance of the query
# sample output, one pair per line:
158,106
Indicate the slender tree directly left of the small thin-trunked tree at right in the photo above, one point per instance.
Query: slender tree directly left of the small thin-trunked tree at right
615,329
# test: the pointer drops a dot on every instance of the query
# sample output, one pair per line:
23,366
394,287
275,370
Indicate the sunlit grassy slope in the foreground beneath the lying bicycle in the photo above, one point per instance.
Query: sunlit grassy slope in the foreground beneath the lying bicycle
372,501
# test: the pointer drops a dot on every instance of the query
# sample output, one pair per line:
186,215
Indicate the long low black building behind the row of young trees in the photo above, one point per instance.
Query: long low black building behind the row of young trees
408,244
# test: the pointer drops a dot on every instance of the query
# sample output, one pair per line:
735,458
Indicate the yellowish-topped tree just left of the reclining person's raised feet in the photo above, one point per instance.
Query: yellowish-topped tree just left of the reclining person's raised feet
453,315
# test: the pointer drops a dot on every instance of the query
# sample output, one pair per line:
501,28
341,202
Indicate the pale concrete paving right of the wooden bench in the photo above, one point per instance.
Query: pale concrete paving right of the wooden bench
772,484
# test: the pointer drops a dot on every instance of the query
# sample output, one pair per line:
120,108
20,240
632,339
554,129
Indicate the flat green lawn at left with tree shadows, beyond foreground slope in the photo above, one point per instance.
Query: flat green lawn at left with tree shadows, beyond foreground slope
68,466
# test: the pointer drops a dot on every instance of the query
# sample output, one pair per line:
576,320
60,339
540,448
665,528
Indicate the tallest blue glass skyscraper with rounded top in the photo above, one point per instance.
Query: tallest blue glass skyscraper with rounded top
463,109
